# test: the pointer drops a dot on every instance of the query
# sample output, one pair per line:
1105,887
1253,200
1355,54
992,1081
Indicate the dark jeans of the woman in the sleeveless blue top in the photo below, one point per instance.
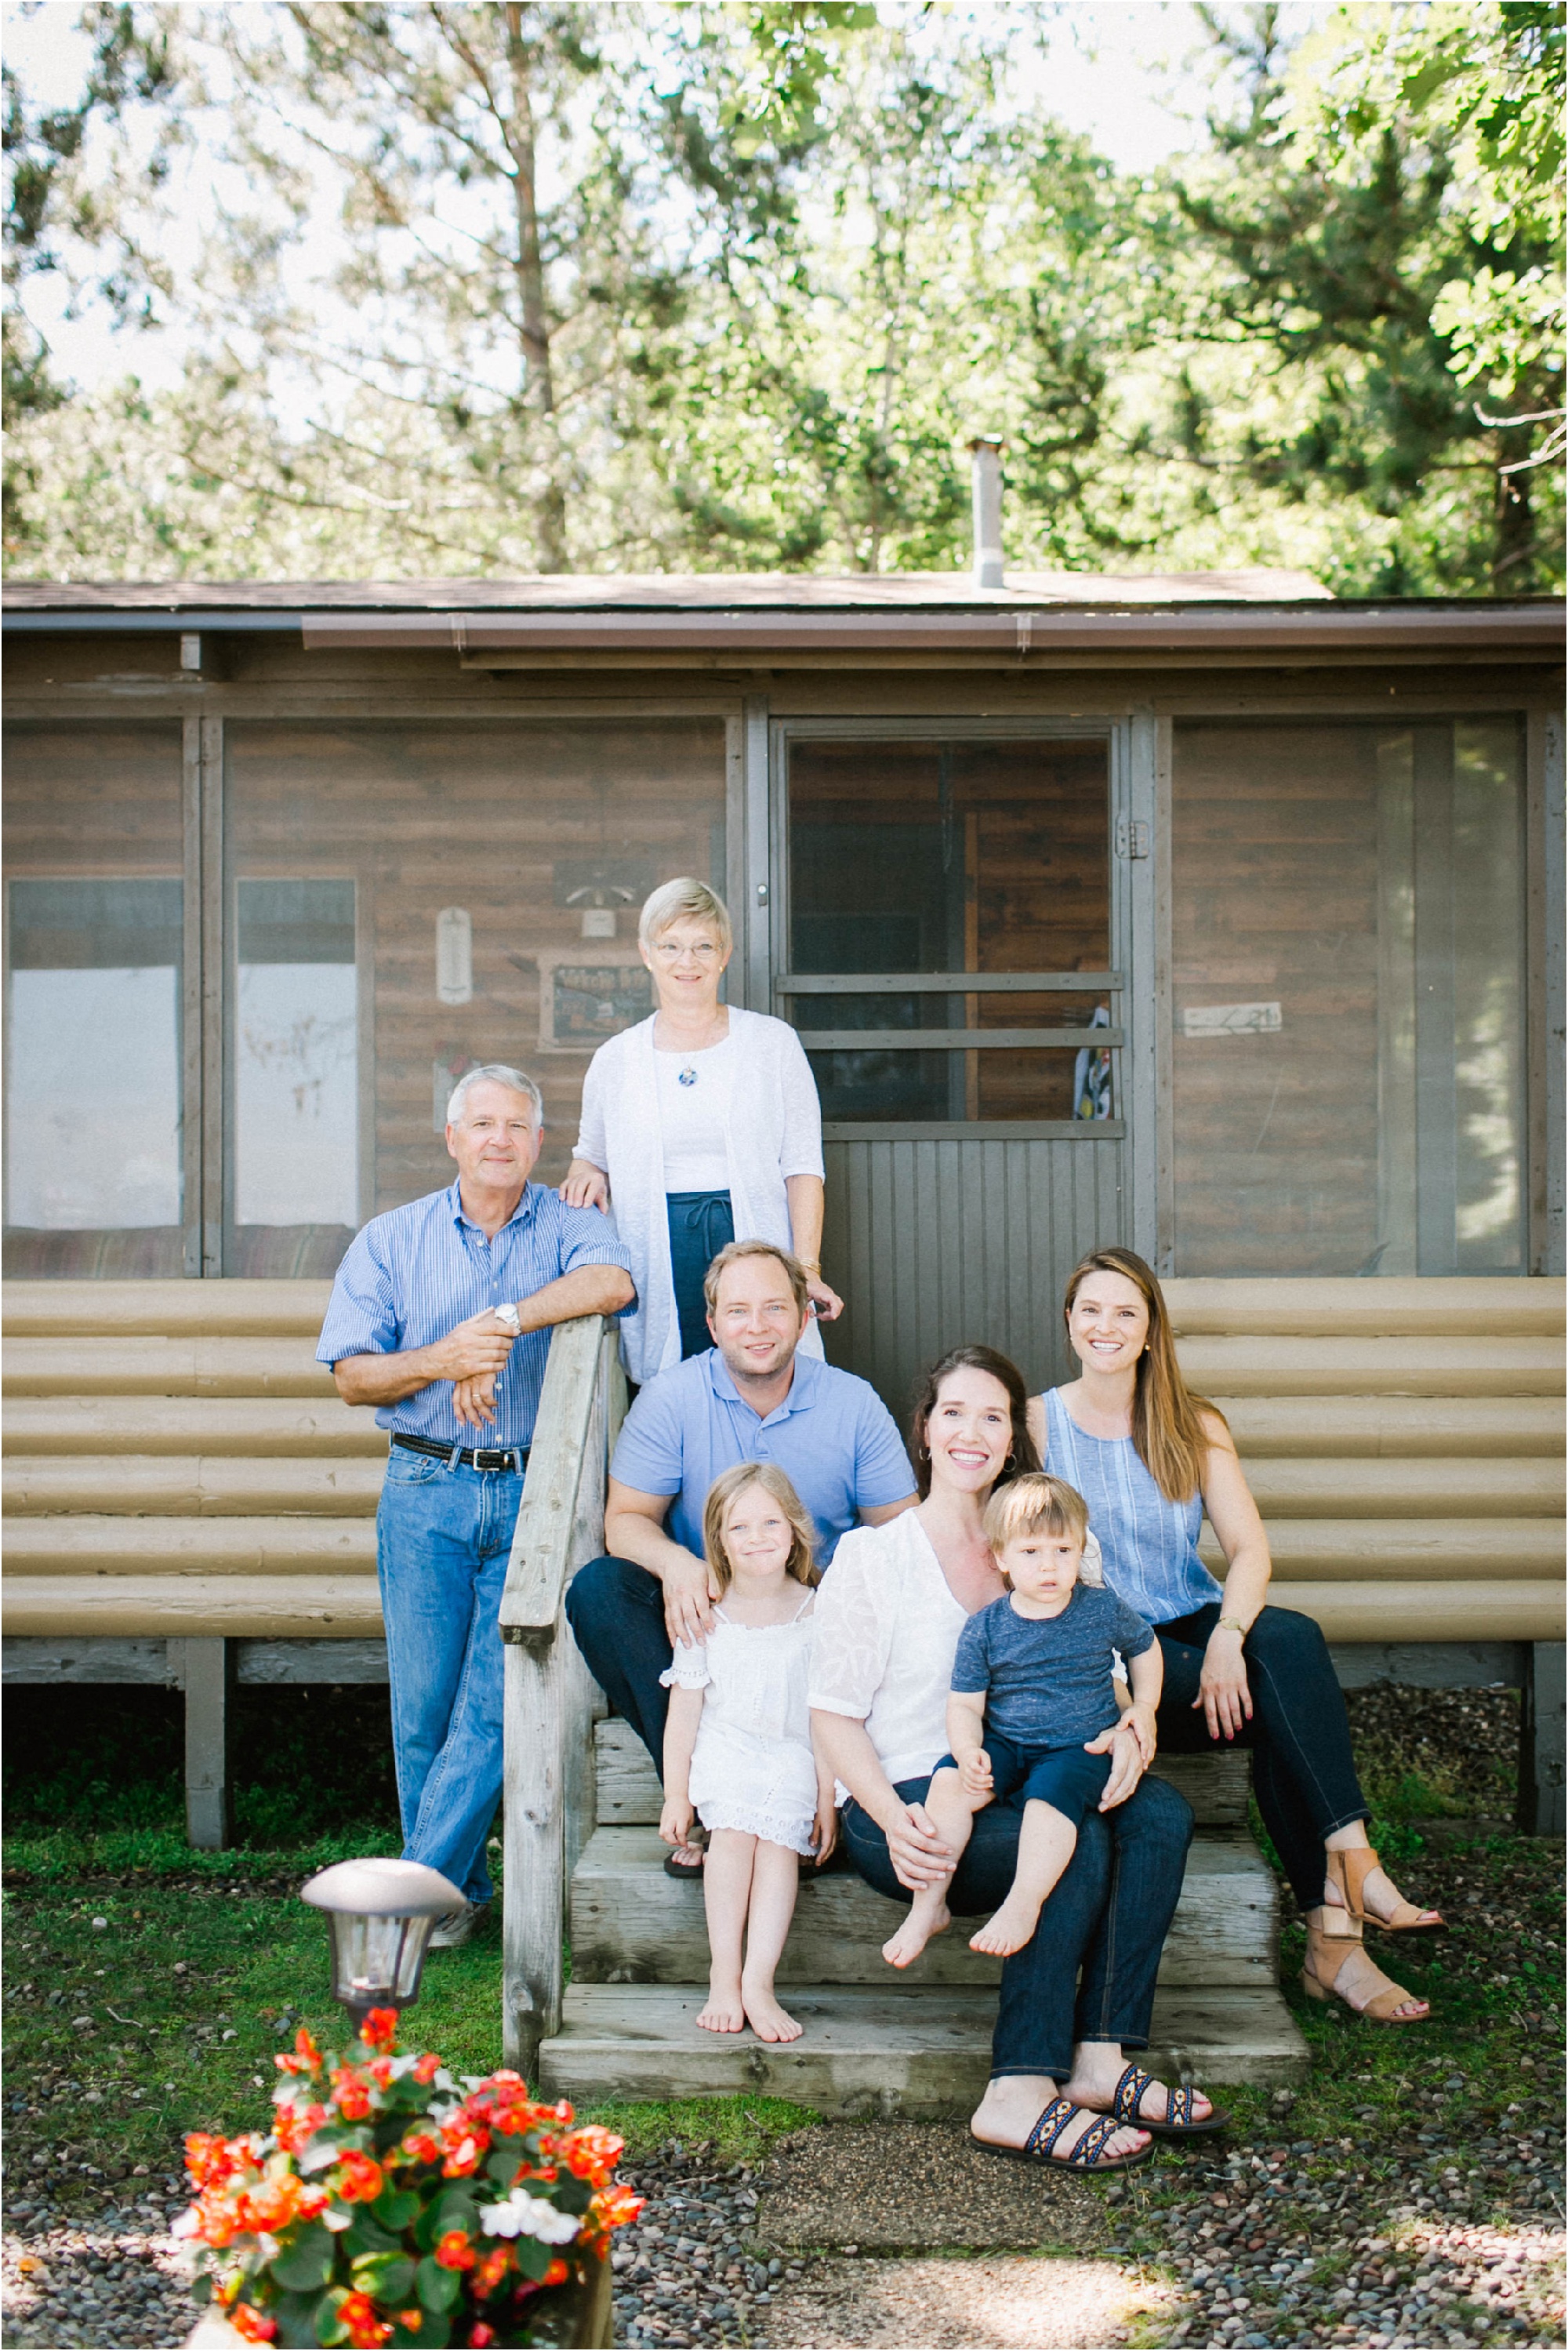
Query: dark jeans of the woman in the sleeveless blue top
1304,1769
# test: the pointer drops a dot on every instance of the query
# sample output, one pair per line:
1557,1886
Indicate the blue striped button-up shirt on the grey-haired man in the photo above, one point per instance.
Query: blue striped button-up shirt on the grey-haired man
417,1273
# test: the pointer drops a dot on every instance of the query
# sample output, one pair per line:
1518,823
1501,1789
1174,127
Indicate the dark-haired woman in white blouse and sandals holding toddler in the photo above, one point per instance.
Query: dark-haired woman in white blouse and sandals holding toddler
887,1628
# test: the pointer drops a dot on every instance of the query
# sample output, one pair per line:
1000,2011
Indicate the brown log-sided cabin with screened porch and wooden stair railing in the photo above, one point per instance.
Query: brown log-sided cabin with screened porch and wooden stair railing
1200,913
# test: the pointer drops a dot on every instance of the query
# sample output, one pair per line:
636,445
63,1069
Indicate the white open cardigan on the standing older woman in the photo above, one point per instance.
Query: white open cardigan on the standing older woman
775,1130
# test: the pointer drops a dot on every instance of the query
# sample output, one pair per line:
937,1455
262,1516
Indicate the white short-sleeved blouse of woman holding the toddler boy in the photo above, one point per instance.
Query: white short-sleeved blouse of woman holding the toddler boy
887,1630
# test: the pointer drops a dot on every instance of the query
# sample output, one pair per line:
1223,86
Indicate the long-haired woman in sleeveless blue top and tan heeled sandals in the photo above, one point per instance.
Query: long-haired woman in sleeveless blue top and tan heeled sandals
1151,1459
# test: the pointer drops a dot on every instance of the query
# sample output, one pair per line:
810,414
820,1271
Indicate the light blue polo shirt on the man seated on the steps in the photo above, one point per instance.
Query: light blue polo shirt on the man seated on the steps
833,1438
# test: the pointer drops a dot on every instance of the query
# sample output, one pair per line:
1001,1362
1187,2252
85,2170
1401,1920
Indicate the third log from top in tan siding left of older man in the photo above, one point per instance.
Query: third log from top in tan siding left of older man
234,1426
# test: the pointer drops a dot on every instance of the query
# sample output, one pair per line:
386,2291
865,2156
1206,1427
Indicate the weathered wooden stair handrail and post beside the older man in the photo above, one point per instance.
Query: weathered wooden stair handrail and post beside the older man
551,1701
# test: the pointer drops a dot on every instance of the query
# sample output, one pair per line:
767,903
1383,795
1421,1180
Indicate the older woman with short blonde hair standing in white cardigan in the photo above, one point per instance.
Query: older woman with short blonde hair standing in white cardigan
699,1127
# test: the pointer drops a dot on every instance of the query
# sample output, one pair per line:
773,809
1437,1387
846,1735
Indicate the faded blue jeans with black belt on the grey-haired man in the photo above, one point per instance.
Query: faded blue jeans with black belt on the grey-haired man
443,1541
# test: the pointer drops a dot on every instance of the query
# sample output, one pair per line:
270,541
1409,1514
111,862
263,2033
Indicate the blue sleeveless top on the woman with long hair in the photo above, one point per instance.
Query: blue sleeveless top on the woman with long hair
1151,1548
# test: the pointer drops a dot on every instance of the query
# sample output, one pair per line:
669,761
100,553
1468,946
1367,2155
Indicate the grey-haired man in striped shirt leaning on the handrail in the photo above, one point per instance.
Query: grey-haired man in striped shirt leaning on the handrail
441,1318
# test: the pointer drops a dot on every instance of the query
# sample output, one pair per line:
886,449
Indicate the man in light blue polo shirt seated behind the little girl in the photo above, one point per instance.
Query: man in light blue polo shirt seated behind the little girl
751,1400
